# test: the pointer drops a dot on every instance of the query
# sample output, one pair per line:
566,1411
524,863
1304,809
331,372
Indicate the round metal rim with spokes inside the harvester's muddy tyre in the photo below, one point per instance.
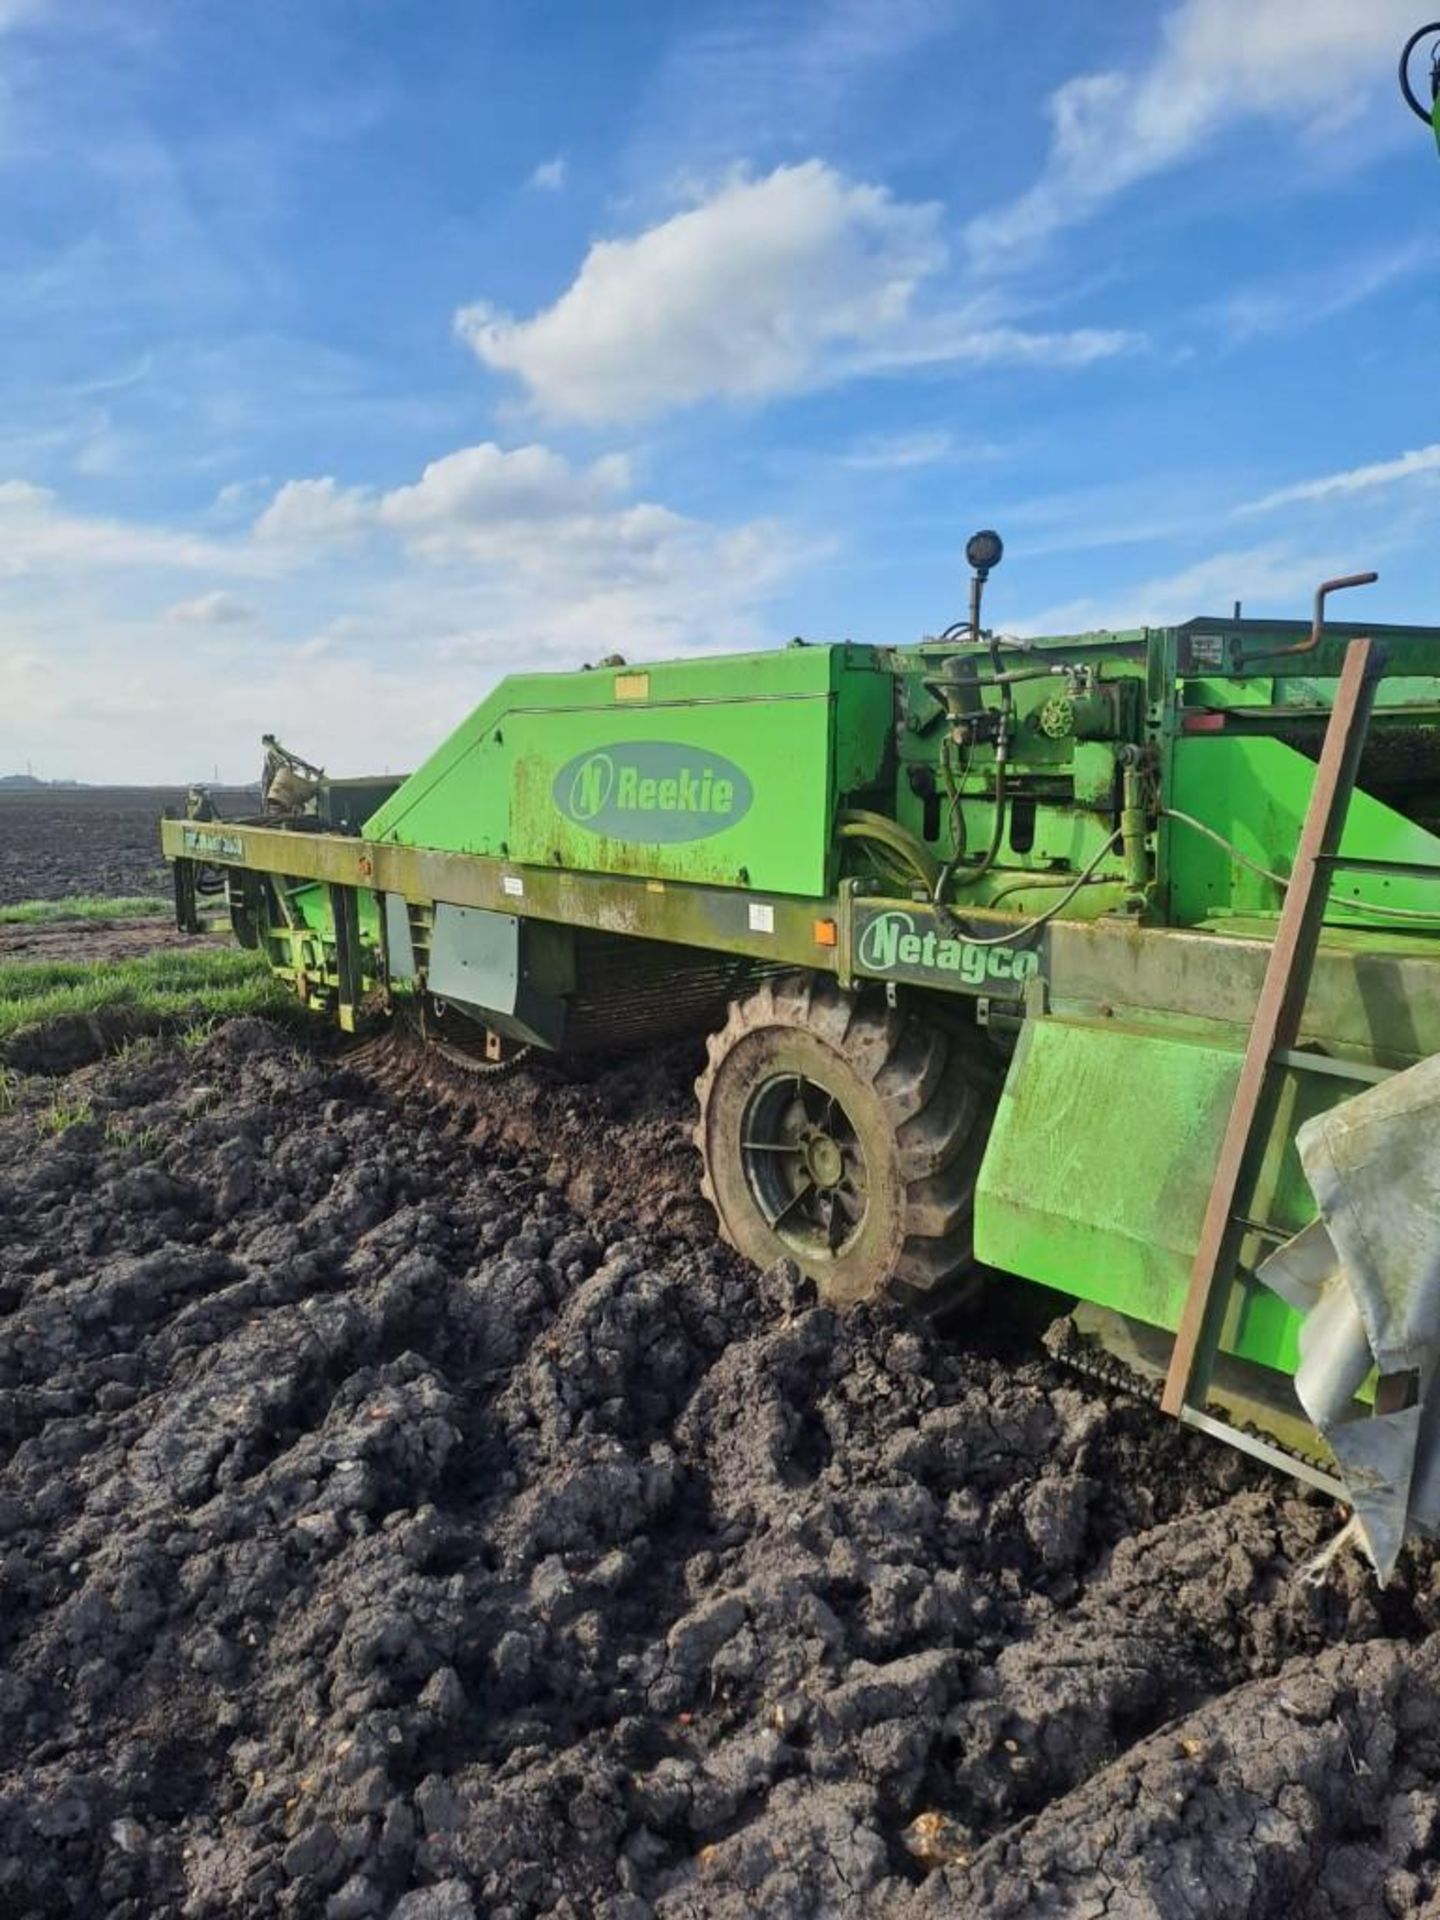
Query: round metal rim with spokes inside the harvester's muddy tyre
805,1166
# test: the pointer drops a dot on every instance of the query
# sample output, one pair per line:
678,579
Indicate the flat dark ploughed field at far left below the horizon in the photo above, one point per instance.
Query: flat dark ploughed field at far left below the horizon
85,840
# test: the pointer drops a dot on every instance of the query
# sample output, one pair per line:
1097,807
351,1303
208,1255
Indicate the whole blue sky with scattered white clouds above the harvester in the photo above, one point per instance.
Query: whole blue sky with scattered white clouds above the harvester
354,354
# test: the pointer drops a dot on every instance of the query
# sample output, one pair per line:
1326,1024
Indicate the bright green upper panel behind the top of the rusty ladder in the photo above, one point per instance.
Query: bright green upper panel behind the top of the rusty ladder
1255,792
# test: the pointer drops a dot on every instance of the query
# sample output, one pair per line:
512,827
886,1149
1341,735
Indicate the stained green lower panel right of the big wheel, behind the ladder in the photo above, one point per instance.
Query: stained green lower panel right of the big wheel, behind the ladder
1099,1168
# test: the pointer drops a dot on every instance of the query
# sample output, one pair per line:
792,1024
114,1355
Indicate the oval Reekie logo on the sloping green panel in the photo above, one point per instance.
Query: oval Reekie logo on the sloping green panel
654,790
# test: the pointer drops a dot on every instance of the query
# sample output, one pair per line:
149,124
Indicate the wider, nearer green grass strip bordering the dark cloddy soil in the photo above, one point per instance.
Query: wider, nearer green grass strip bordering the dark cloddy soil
189,984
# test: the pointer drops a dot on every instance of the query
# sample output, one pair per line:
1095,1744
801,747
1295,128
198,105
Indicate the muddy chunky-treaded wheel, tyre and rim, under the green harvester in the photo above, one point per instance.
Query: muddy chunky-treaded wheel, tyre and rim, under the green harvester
846,1136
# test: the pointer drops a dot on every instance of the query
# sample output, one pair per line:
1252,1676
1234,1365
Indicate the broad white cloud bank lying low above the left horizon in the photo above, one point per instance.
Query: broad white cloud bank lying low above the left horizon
389,617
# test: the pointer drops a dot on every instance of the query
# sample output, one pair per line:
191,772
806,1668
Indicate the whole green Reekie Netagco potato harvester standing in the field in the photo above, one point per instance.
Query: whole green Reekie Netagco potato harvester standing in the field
1109,961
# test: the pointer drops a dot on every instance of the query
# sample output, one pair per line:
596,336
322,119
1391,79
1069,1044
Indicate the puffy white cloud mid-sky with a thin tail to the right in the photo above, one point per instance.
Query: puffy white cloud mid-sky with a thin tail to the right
765,287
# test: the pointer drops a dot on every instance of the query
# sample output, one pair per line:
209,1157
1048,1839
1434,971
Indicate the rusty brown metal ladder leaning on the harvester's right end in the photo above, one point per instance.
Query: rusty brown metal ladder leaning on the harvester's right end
1272,1045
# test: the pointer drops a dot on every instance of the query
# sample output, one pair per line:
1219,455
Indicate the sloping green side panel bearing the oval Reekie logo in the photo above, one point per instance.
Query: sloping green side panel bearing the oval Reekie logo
694,771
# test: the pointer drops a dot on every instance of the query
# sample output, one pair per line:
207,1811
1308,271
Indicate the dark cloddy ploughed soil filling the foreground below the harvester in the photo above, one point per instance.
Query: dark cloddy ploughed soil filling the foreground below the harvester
408,1508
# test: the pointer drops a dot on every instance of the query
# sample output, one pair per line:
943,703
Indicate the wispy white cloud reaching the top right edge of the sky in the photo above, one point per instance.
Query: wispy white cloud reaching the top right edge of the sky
1216,62
